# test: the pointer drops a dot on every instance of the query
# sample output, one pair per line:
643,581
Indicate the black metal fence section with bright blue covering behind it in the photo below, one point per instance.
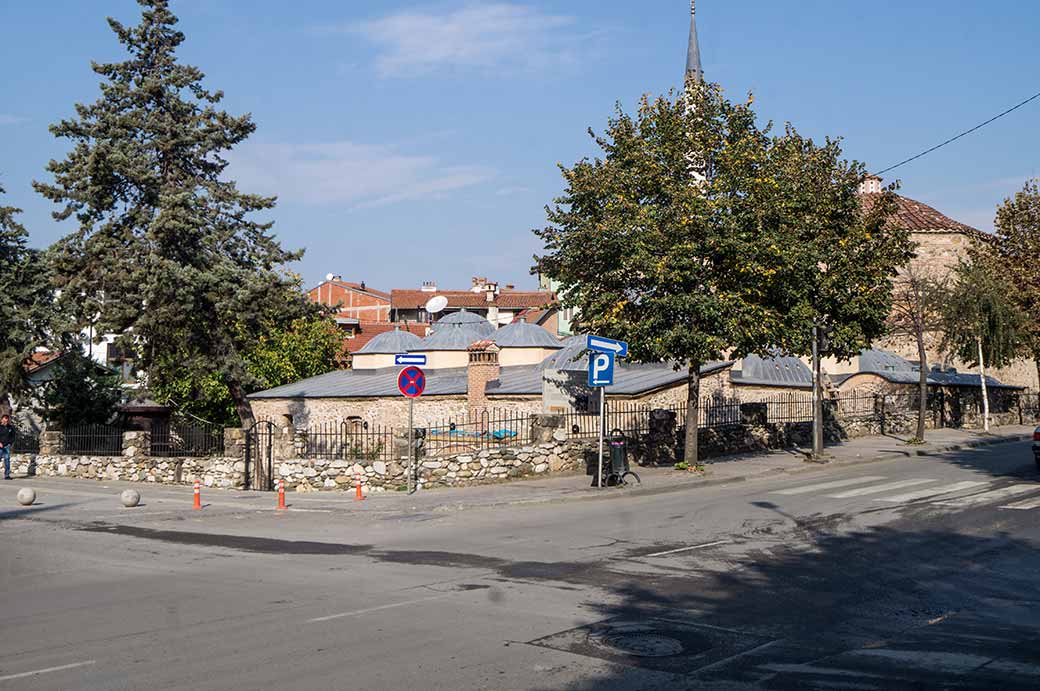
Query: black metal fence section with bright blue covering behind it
487,430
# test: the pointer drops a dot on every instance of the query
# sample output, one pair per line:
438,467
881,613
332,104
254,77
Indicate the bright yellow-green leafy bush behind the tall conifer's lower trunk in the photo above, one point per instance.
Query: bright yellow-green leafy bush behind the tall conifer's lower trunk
306,348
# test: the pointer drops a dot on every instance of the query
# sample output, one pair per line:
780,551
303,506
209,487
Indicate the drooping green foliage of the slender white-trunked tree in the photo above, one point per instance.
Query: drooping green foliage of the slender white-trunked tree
980,308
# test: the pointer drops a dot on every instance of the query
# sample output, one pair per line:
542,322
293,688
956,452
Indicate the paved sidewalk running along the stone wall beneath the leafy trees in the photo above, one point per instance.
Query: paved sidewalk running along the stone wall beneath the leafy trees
718,471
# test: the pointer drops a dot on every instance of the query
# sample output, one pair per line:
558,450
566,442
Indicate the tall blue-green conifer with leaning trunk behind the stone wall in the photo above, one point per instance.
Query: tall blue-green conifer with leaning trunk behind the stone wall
168,249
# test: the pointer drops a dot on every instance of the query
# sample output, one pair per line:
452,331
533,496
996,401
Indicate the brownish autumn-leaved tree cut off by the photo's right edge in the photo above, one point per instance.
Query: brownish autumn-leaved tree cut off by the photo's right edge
1019,249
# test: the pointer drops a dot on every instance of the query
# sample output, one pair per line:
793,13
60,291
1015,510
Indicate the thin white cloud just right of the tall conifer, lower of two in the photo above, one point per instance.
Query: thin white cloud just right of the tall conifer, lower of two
345,172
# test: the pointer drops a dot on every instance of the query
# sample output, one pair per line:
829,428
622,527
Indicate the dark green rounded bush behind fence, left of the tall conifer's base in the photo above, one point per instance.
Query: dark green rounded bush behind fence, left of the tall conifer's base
82,393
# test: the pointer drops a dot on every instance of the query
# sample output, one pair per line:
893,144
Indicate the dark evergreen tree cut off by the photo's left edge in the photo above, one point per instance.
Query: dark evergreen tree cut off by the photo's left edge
28,311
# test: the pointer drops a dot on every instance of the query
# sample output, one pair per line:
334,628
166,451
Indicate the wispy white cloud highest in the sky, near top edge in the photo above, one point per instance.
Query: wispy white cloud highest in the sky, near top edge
477,36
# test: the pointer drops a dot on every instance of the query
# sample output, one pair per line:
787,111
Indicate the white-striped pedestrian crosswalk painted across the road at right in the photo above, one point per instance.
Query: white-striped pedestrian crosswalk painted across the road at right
929,492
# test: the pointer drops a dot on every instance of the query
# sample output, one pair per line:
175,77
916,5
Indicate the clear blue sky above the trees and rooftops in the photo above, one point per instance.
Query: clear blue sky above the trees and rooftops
419,141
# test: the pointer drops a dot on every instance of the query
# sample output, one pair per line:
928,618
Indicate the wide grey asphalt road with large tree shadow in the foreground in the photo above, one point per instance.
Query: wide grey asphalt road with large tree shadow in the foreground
903,575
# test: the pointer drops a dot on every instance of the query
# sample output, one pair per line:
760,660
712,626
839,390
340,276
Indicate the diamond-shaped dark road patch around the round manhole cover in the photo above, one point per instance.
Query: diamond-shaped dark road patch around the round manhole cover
659,645
